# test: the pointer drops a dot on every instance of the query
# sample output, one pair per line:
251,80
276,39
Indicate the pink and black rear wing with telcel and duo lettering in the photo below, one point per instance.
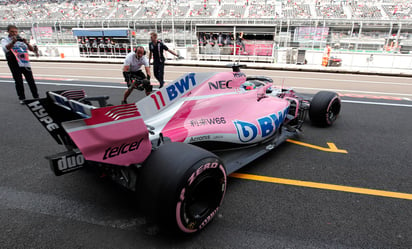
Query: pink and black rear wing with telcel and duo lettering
115,135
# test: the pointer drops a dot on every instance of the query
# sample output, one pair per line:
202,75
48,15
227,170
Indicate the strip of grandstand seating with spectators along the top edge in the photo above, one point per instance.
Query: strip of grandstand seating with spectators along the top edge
40,10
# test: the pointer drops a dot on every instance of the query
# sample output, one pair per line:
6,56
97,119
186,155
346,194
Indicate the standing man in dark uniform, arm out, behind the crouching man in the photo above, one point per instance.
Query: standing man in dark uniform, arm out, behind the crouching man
156,48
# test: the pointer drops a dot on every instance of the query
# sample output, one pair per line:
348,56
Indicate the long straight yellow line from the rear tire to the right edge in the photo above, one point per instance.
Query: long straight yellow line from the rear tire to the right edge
355,190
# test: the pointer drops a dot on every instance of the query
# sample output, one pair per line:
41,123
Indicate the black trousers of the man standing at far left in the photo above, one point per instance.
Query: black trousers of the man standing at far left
18,73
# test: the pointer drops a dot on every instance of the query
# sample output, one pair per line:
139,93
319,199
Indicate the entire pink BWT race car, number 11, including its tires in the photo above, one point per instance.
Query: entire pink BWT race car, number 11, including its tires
176,146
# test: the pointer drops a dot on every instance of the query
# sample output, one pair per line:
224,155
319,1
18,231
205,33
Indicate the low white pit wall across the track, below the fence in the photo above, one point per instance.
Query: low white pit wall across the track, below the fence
279,56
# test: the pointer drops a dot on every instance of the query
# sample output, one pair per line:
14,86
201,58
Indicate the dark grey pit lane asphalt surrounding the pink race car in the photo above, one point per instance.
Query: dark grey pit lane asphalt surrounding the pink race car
81,210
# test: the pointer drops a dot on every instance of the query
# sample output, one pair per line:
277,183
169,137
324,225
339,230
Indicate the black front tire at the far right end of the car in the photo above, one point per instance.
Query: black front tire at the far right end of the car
324,108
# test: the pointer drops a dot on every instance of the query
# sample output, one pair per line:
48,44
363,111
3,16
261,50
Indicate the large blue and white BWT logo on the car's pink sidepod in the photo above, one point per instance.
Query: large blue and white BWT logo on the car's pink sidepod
267,125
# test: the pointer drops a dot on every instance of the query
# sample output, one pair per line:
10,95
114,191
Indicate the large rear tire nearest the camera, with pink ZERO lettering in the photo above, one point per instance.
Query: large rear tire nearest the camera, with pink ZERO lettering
181,187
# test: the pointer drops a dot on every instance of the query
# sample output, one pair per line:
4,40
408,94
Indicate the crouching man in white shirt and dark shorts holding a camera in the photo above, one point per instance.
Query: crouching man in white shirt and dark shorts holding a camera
133,75
